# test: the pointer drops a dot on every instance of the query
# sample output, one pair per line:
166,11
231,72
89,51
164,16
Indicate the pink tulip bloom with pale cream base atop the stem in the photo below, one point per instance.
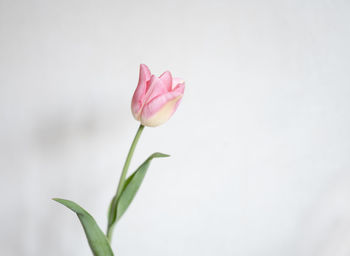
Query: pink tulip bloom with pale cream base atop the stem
156,98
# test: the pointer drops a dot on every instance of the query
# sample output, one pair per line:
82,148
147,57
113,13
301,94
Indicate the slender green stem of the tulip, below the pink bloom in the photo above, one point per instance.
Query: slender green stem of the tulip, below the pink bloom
124,172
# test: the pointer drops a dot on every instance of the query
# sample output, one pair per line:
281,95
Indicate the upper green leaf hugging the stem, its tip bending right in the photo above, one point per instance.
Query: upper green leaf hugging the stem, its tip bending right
131,186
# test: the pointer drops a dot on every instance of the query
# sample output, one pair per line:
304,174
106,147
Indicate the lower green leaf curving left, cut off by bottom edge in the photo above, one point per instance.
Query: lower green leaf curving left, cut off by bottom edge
97,240
